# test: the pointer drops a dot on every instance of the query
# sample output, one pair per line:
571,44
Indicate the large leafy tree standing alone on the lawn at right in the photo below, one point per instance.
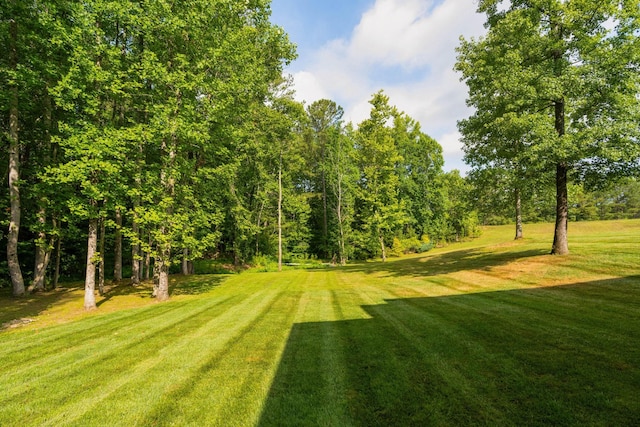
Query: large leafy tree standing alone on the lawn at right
554,76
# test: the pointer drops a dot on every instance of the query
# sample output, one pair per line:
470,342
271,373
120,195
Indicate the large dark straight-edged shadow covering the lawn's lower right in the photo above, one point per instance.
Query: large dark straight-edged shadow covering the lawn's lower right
565,355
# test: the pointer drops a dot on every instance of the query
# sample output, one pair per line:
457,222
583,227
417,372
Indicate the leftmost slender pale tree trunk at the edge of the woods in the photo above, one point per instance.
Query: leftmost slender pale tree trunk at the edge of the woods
14,169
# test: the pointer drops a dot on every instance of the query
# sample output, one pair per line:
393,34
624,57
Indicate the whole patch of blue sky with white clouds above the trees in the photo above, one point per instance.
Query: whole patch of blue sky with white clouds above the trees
350,49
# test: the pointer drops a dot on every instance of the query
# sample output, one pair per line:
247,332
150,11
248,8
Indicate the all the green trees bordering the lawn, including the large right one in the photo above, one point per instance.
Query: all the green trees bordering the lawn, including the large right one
141,136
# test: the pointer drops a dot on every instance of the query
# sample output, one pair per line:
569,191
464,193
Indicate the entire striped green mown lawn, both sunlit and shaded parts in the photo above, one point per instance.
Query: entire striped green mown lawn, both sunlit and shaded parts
487,332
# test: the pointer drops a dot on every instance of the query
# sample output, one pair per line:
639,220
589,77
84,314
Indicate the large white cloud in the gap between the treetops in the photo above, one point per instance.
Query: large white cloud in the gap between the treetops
407,48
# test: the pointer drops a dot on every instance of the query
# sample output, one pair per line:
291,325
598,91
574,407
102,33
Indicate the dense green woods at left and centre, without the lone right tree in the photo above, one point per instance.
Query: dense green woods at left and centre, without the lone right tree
146,134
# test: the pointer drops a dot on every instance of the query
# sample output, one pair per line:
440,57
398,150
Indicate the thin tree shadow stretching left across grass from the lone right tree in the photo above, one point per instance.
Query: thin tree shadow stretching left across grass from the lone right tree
448,262
